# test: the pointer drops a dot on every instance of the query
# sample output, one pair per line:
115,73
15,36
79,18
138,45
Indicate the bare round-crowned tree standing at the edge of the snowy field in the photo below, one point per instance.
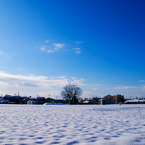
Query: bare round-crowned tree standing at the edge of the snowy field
71,93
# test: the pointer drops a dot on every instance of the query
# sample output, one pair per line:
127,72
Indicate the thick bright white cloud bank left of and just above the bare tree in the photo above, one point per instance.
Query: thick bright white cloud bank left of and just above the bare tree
32,85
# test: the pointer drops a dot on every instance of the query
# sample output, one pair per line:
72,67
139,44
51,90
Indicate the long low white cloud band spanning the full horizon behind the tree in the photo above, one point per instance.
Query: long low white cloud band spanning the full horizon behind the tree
43,85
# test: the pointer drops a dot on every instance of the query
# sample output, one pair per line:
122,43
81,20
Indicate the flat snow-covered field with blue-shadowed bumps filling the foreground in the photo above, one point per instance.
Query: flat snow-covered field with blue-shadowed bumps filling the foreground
68,125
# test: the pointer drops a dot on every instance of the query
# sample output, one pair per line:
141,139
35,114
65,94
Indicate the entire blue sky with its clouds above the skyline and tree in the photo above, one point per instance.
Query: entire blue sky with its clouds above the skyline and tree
98,45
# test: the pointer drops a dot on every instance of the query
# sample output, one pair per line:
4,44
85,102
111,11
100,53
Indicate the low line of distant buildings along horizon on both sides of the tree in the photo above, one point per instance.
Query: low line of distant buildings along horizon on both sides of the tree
108,99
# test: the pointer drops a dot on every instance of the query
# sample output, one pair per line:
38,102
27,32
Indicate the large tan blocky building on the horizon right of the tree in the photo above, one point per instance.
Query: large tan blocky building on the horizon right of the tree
115,99
